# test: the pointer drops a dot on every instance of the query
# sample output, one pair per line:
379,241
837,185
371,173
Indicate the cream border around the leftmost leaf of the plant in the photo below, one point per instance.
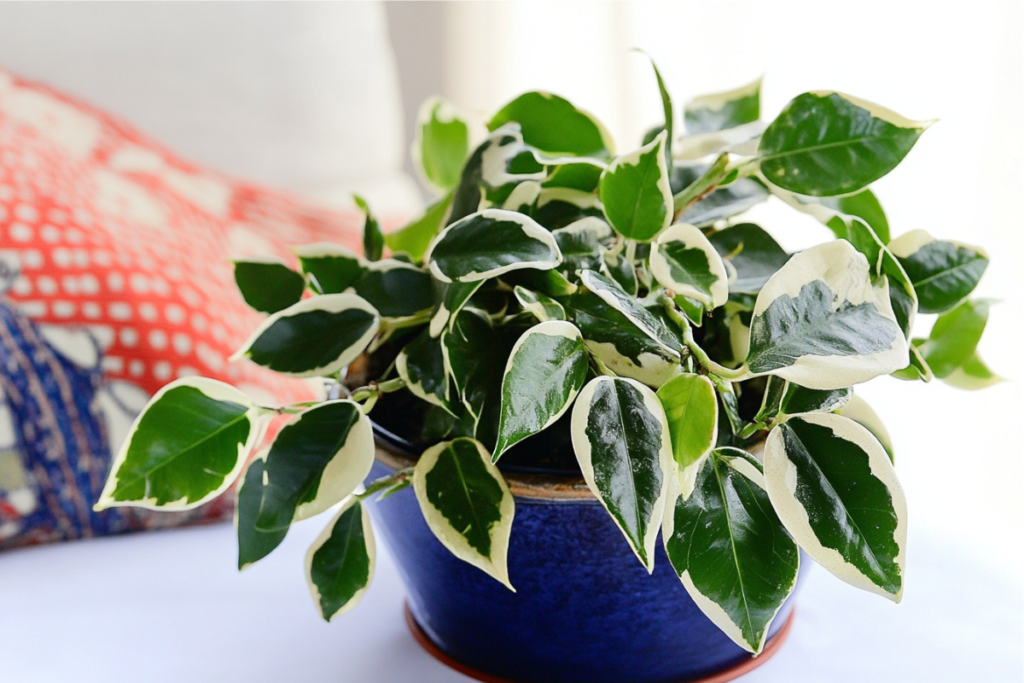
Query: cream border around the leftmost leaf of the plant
216,391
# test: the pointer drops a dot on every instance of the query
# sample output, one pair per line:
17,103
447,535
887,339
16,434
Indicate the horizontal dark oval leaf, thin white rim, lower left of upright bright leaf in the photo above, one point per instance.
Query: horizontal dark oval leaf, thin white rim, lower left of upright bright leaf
492,243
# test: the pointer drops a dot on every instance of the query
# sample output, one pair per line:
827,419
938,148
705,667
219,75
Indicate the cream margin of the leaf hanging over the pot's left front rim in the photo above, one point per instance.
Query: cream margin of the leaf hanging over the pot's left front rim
497,565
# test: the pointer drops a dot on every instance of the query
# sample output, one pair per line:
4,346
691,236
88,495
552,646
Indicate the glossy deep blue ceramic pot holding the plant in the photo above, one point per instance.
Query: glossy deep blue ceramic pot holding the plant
584,612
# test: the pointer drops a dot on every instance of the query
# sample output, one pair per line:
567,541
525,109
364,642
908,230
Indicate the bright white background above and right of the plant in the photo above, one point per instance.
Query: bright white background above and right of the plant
959,454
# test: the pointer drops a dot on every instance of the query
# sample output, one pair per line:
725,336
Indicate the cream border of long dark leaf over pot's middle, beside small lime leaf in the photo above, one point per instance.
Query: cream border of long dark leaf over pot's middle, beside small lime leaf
584,453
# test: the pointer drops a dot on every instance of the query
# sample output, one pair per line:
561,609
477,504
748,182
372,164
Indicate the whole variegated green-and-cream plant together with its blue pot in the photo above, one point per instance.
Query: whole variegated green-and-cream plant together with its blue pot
573,353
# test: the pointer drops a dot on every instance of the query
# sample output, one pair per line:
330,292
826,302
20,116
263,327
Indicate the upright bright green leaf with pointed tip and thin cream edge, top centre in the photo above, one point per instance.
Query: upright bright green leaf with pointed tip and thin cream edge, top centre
635,192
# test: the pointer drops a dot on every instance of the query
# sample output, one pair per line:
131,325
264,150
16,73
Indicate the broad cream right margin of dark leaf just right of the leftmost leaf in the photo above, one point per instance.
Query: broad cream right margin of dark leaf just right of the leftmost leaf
347,469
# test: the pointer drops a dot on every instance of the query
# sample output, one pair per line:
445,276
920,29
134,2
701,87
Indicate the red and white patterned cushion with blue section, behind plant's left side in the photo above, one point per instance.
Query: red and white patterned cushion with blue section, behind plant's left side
114,281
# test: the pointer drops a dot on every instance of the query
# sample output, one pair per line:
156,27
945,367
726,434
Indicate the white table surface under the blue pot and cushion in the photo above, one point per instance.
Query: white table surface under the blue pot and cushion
169,607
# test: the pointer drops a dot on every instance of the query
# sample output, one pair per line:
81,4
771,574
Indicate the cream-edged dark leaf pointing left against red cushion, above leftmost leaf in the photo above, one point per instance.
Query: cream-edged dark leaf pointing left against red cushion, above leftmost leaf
314,338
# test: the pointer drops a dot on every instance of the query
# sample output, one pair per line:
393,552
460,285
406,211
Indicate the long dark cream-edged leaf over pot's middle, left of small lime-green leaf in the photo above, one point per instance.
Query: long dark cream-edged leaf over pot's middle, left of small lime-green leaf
622,442
